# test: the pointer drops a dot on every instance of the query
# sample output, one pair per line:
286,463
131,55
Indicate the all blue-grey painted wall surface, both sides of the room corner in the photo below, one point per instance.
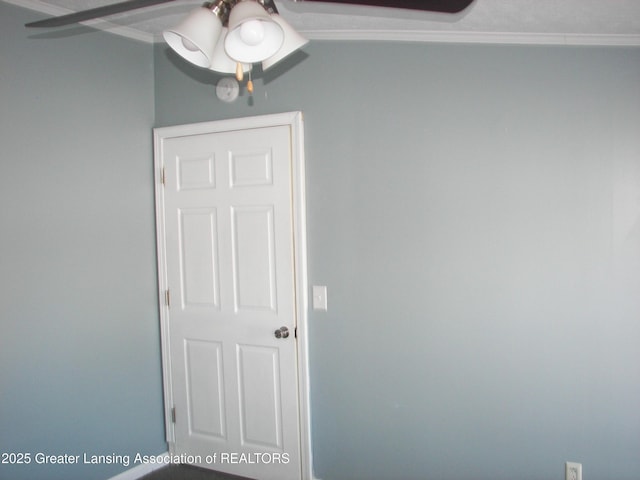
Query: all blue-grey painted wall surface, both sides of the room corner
474,211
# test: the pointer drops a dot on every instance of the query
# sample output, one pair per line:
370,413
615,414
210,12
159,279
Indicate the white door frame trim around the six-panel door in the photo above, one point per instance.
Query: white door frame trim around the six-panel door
294,120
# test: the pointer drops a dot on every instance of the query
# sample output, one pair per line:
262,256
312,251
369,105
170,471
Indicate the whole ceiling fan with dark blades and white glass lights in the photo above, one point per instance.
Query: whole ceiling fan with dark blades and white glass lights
229,36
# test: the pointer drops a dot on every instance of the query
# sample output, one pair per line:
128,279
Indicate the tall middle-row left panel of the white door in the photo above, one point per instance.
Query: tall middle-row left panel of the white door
199,258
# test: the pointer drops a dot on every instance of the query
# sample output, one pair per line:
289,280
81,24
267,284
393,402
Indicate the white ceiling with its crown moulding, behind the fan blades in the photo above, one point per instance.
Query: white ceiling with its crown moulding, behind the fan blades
582,22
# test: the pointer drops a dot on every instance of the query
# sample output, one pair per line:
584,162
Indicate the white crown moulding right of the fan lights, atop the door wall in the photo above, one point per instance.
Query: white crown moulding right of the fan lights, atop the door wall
511,38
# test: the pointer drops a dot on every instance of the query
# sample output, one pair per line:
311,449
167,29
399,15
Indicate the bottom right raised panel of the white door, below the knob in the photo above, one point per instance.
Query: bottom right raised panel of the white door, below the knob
259,384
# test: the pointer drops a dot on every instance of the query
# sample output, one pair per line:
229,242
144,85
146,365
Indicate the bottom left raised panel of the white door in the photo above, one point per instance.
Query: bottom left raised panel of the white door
205,388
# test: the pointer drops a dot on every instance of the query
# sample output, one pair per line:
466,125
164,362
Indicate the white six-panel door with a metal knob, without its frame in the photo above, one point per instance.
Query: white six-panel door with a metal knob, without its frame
231,314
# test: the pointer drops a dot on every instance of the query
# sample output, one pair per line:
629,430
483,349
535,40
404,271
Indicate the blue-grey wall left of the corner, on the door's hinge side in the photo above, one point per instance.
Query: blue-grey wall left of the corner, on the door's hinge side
79,336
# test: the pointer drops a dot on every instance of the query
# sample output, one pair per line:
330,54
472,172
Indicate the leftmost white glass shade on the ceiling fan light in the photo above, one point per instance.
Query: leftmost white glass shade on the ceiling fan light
196,36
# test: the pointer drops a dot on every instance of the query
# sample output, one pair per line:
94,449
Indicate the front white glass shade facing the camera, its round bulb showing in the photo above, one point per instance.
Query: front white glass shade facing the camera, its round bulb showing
253,36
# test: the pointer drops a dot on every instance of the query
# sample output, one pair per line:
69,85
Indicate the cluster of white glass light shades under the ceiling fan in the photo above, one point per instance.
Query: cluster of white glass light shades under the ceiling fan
228,36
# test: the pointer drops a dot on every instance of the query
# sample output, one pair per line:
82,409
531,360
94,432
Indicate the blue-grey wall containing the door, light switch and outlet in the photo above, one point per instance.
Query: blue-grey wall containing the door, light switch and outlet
475,214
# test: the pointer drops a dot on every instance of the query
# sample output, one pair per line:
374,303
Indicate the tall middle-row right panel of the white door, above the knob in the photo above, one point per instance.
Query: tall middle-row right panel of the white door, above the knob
254,258
